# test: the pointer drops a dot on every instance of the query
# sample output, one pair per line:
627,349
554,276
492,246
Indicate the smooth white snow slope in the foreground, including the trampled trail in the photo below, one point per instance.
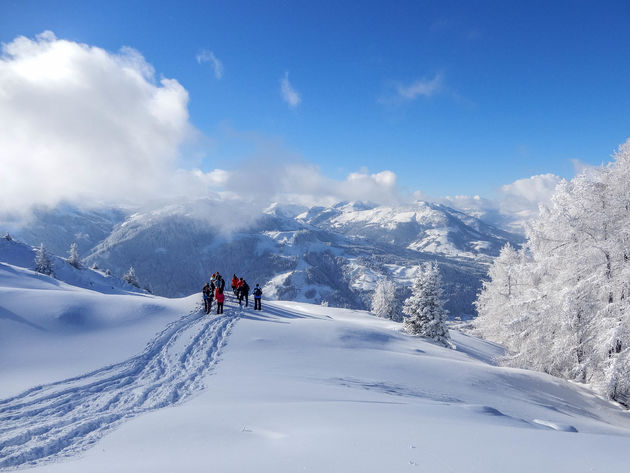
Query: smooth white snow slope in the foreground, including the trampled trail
156,386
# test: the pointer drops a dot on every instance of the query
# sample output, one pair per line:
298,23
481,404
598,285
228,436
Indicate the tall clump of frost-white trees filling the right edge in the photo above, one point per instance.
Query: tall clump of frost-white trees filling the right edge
569,313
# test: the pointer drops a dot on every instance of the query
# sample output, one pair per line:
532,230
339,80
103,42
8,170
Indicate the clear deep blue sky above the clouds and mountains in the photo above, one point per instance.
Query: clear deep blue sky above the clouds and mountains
453,97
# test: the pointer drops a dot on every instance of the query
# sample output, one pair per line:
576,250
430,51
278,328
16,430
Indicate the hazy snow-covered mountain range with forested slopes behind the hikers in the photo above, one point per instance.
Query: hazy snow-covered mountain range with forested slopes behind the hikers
333,254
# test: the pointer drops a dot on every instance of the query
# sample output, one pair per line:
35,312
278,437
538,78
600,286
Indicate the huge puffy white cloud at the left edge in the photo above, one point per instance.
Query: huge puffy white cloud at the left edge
79,123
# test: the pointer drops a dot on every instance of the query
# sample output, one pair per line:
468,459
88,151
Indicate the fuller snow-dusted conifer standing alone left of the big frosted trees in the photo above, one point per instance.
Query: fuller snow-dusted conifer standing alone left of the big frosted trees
426,315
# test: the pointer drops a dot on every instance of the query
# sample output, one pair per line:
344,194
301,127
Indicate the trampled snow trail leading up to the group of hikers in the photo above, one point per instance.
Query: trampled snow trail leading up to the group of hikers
65,417
